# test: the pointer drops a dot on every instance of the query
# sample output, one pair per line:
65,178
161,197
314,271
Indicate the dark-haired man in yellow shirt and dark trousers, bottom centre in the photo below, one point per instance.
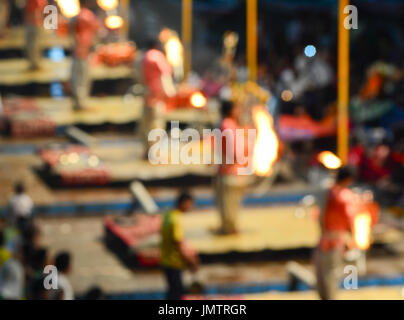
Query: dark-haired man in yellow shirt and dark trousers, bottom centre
176,255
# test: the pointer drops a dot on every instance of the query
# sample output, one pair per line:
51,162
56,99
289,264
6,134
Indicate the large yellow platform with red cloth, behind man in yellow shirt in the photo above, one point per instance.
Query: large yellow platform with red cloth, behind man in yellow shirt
265,234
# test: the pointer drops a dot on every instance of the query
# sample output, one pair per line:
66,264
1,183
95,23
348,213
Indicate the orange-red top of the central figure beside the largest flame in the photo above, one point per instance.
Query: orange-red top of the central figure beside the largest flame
229,136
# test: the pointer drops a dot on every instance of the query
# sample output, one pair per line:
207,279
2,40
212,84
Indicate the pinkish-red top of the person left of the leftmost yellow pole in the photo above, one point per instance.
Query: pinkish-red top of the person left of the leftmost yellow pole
155,65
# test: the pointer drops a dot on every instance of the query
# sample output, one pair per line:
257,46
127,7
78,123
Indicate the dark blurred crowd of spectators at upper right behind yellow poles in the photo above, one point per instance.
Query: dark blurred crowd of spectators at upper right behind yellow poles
298,66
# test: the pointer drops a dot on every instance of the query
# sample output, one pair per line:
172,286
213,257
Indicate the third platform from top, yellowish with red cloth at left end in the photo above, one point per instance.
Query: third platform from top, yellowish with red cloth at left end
29,117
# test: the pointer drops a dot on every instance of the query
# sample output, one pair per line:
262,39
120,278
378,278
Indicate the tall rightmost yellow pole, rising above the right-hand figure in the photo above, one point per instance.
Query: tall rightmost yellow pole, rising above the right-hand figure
343,83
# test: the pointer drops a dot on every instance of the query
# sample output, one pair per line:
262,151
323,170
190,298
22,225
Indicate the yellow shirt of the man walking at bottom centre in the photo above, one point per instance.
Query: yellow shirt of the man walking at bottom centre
172,233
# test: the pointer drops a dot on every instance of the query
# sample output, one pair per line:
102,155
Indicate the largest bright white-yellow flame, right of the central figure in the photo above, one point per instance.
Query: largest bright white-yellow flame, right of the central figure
266,143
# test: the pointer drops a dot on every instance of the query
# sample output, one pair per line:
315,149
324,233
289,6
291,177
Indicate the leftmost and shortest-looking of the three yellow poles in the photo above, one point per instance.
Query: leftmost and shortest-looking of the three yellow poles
187,34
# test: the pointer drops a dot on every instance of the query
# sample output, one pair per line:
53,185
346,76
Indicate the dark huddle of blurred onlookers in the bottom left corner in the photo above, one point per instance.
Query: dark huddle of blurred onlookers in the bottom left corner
25,272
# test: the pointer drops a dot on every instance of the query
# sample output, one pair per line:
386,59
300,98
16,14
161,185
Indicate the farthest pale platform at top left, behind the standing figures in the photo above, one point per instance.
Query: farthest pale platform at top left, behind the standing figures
15,39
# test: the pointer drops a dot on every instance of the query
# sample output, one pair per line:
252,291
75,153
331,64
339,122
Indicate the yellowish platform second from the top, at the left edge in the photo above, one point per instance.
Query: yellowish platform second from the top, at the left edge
15,72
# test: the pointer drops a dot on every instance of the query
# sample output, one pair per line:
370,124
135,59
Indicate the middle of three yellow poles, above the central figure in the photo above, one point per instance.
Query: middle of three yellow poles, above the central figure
252,11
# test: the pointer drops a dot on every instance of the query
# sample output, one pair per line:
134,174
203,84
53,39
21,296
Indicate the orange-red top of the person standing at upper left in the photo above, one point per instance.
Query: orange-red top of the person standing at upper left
85,29
